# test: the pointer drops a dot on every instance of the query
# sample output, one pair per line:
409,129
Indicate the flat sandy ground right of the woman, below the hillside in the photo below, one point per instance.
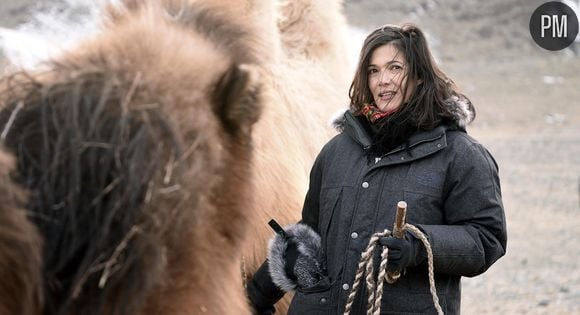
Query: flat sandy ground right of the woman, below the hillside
533,130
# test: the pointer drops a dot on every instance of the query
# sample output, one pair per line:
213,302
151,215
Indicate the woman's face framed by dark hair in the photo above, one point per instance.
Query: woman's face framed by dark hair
387,78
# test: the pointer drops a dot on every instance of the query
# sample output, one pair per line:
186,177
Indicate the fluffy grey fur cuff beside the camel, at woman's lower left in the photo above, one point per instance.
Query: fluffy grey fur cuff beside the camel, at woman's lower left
309,267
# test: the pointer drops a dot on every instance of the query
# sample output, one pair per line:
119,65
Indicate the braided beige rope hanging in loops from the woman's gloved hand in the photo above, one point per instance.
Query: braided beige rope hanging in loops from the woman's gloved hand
375,287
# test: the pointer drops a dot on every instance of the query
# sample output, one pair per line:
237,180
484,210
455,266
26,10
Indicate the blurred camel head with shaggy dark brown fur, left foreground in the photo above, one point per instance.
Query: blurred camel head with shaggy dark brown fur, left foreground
135,154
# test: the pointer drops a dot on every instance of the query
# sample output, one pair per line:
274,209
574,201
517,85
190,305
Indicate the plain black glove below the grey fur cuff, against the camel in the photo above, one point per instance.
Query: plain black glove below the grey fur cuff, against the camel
262,292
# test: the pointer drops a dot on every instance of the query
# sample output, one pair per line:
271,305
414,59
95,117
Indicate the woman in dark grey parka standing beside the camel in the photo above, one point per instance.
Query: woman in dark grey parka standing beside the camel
403,138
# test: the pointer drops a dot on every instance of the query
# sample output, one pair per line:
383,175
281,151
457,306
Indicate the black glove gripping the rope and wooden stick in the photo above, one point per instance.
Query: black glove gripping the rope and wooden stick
403,252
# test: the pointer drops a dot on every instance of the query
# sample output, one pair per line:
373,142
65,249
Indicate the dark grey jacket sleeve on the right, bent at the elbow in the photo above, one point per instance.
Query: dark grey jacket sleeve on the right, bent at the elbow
474,236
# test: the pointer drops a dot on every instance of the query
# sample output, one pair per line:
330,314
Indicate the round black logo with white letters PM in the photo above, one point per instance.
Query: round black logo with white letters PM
554,25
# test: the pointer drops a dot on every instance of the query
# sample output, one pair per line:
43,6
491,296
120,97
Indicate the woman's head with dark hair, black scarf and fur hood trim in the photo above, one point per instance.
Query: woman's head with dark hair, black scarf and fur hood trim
396,68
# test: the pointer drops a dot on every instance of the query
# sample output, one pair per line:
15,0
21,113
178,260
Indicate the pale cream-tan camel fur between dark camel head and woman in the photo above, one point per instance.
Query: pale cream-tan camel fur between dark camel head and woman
306,83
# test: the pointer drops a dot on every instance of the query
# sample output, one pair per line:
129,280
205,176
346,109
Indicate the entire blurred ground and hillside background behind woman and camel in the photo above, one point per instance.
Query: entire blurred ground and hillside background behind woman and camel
528,104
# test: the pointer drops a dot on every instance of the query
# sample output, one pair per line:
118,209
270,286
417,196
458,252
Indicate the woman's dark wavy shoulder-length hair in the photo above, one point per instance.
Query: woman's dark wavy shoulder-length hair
425,108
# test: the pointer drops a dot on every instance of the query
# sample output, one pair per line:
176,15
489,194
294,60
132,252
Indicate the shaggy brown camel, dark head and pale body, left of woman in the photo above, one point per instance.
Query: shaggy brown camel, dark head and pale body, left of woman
145,162
